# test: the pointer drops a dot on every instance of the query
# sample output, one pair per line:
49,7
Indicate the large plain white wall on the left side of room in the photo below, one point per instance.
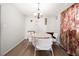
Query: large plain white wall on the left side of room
12,27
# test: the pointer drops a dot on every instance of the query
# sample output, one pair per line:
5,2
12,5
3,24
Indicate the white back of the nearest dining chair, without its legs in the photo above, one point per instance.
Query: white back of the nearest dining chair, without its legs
44,44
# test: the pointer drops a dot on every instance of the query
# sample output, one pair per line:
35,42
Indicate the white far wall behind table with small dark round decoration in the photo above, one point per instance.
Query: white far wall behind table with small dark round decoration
36,25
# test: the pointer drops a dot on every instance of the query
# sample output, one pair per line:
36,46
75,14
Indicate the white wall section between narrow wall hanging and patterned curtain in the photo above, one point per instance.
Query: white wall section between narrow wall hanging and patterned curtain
52,24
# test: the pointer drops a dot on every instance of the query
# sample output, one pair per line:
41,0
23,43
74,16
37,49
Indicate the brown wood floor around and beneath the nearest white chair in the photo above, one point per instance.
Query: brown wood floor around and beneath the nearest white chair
25,49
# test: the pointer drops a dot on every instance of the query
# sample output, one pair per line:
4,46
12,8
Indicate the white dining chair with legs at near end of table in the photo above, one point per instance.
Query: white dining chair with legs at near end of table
43,44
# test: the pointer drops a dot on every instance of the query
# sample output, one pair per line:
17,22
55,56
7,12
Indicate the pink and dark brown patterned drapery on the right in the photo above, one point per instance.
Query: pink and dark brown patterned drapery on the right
69,29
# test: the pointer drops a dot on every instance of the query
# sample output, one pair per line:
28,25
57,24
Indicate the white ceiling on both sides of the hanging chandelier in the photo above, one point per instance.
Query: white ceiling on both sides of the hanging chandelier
47,9
